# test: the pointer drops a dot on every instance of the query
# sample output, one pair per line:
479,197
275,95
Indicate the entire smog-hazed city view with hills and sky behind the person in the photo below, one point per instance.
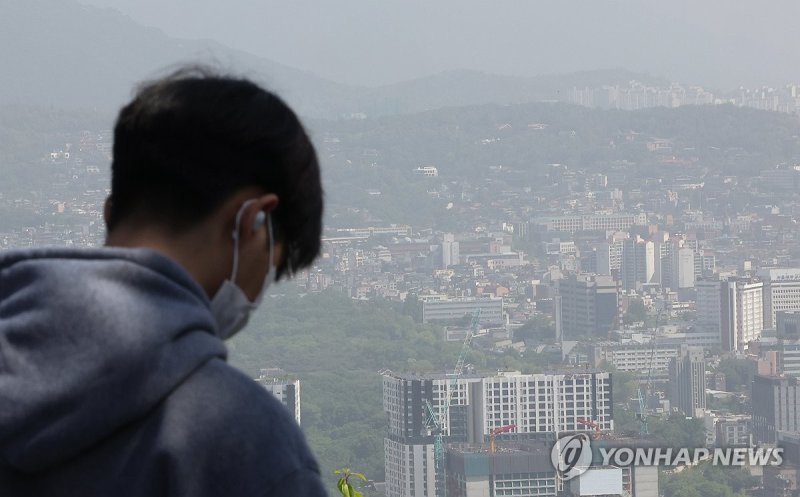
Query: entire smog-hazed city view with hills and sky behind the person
541,218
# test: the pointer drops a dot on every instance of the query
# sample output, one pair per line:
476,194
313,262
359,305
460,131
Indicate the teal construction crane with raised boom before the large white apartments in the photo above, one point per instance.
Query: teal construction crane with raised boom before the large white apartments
438,423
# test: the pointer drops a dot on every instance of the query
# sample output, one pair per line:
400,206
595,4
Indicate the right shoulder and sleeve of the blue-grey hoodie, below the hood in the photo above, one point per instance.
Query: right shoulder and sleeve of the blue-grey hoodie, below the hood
229,434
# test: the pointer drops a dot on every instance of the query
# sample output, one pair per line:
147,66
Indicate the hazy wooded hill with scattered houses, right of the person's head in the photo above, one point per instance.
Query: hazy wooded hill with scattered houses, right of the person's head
483,151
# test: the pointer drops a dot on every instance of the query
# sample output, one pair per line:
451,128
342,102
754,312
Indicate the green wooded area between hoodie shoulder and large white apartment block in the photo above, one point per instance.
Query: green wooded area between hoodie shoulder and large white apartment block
336,347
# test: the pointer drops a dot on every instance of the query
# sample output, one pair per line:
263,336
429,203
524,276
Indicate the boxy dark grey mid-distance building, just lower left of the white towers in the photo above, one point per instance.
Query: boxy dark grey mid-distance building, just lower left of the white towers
589,305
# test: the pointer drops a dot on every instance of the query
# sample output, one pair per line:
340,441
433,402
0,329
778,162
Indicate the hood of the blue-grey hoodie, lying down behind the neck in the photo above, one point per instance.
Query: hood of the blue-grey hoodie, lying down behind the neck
91,340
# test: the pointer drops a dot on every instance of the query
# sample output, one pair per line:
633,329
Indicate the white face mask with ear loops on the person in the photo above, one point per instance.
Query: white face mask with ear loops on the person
230,306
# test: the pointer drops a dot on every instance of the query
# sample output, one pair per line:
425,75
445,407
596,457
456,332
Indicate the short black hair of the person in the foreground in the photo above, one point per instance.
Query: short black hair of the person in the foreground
189,141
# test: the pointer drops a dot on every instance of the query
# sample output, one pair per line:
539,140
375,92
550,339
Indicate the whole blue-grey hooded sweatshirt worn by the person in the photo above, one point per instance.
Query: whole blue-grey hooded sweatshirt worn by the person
113,383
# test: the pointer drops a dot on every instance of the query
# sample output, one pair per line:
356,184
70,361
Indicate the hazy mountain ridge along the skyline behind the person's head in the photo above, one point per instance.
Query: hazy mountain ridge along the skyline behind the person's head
70,55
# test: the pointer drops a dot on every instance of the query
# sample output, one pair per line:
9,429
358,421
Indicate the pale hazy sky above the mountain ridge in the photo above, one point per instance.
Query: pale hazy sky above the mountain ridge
719,43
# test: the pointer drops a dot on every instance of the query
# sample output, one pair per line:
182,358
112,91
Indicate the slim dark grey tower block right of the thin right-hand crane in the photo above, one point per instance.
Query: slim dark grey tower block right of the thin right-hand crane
687,378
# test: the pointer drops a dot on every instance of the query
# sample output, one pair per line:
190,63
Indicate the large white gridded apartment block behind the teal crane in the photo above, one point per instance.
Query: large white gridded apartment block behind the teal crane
535,403
